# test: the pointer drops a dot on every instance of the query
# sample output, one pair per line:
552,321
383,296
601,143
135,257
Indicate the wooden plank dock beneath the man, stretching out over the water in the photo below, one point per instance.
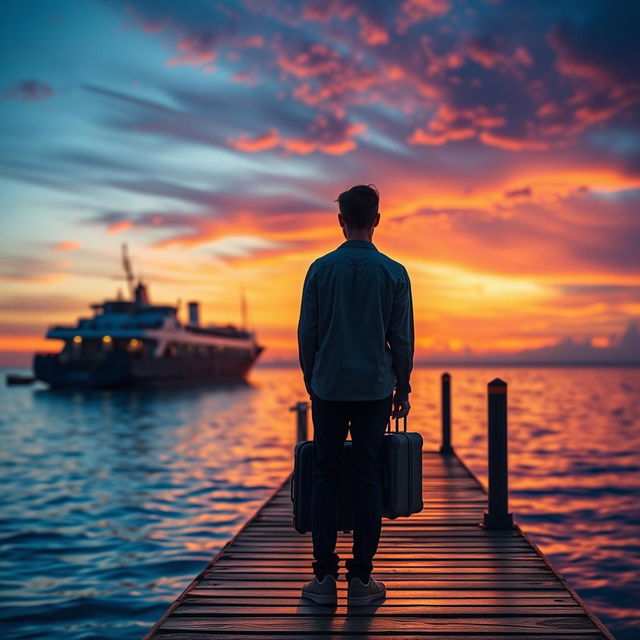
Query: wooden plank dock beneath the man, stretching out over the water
446,576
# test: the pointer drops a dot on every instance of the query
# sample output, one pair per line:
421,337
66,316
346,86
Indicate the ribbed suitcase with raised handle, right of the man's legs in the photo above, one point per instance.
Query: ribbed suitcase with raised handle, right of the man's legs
402,469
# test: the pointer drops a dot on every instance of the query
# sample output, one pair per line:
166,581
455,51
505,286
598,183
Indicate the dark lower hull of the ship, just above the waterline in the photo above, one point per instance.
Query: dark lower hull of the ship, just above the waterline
121,370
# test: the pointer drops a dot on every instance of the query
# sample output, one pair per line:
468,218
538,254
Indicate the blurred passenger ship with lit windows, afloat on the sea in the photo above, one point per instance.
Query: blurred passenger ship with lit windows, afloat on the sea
134,343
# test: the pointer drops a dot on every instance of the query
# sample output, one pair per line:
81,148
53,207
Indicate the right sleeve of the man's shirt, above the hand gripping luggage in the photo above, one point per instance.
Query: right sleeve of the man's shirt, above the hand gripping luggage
401,334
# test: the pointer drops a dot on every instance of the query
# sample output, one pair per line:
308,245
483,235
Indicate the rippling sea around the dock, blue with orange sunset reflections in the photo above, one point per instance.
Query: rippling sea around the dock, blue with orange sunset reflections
112,502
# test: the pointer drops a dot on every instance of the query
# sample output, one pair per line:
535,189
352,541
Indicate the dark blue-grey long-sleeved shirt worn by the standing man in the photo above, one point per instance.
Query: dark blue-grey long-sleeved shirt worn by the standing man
355,333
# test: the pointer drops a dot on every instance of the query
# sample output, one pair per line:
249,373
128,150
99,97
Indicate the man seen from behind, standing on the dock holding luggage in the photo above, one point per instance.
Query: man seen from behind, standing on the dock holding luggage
355,339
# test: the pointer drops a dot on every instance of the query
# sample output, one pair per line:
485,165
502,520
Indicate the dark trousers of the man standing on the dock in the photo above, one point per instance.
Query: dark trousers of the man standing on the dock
366,419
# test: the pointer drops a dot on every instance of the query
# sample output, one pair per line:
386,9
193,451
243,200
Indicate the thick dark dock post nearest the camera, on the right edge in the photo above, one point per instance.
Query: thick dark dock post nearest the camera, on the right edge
498,516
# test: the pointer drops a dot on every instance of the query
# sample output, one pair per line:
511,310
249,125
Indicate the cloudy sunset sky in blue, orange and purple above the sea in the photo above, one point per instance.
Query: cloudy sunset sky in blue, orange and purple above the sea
213,138
